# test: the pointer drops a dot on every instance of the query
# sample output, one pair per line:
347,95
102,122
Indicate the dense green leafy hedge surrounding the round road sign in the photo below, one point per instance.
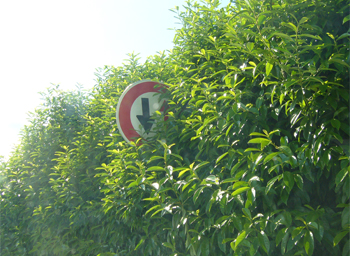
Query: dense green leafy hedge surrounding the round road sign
253,159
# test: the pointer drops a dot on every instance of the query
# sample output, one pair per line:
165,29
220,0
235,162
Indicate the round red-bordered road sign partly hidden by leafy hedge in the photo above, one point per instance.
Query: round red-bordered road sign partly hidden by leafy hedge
135,109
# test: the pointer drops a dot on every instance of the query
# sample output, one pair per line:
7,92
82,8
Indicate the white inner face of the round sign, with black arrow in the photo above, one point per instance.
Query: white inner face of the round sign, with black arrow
143,108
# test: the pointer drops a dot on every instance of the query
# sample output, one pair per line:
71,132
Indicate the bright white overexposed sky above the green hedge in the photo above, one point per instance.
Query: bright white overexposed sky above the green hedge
63,42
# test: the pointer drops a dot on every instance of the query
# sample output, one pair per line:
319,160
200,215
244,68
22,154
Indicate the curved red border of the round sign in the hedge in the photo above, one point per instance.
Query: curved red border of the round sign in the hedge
131,93
